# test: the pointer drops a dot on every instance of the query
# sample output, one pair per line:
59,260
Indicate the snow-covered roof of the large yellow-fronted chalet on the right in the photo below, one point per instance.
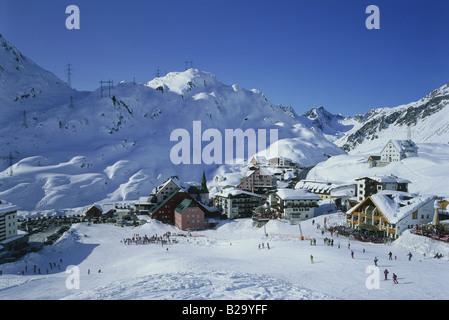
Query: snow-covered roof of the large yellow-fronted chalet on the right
396,205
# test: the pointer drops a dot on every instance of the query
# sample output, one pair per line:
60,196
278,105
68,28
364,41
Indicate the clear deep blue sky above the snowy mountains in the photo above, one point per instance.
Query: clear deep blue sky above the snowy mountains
301,53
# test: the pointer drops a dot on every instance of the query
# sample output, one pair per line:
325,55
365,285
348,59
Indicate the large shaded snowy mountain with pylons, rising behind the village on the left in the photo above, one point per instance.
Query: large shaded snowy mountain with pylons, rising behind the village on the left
72,148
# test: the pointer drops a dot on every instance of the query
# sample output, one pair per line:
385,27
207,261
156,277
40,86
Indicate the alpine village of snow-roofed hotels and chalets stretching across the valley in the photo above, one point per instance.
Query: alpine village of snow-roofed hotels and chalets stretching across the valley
376,208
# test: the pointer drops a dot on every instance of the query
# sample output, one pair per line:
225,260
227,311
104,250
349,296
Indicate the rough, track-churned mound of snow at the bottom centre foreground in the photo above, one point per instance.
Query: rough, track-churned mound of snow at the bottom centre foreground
204,285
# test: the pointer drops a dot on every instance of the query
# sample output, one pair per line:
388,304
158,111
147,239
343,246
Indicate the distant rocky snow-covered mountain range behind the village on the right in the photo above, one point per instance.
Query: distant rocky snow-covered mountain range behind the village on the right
425,121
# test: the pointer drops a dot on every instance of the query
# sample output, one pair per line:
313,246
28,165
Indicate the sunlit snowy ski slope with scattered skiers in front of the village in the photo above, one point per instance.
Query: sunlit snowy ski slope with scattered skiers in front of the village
226,263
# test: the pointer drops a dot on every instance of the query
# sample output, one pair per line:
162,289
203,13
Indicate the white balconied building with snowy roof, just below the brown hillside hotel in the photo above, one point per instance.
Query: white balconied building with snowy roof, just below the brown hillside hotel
296,204
